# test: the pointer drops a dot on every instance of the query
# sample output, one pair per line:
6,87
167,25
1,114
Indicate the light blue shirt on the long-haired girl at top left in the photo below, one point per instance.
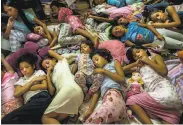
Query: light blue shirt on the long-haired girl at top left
21,26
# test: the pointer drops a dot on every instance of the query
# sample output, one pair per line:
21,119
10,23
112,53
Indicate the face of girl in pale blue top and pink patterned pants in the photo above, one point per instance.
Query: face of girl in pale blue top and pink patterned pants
98,61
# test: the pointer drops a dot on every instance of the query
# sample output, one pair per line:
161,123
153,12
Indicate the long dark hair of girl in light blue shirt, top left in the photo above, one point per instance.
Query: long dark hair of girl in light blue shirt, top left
16,4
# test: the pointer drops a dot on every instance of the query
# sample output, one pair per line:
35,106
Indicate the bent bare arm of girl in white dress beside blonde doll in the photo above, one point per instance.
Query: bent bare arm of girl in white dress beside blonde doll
159,65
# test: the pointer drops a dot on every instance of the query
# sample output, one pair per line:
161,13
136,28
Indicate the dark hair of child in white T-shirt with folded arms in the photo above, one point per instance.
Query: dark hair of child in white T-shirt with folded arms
27,57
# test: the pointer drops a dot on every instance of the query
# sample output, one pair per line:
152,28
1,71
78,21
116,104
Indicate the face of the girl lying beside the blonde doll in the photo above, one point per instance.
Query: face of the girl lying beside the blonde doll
139,53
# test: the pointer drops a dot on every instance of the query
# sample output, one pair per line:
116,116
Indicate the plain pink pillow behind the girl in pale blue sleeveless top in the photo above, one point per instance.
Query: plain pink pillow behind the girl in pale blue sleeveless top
117,49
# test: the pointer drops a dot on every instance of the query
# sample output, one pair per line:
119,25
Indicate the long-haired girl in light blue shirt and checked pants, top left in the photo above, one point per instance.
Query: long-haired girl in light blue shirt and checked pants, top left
20,24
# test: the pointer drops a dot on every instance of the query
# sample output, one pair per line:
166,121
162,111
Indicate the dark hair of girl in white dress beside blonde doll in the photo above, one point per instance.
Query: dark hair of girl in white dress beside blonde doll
129,52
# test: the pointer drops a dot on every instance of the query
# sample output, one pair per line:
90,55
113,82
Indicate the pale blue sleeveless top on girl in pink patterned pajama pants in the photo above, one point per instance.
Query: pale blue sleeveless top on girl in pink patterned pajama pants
108,83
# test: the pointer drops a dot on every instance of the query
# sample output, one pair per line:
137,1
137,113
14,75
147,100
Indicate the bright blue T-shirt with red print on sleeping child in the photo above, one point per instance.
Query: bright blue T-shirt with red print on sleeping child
138,34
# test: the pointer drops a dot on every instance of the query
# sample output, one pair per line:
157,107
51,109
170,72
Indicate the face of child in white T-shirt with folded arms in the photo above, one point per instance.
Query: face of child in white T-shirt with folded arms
26,69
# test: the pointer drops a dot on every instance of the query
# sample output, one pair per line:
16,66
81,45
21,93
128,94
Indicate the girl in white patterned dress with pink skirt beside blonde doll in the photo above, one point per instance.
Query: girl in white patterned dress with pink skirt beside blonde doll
160,98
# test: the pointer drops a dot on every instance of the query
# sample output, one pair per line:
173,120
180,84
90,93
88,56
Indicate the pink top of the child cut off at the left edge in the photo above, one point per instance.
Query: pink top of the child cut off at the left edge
7,87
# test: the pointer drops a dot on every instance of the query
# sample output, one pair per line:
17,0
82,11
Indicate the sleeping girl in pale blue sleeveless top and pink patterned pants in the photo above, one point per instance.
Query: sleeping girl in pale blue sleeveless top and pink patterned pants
113,107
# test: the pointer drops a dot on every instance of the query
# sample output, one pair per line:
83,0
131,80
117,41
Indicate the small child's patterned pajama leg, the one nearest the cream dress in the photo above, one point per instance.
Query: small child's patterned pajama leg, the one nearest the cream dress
80,79
